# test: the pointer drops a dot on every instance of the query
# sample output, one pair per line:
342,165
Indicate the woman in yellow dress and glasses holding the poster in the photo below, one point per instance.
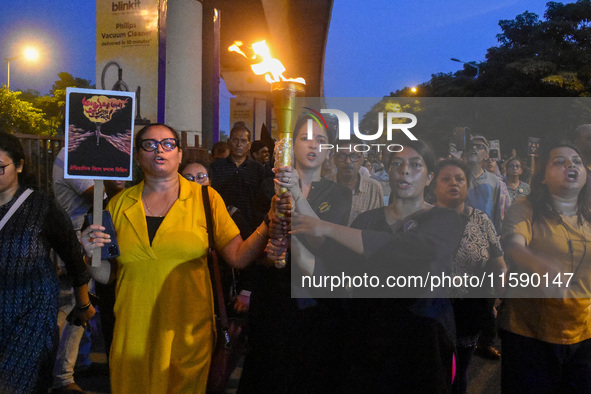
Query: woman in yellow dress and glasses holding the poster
164,329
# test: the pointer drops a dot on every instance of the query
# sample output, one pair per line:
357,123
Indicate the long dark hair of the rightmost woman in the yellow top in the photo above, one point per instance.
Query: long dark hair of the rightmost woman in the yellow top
540,197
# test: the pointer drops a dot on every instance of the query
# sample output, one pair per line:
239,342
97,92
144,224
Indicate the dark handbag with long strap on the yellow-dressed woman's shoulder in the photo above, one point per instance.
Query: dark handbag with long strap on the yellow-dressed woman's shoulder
231,340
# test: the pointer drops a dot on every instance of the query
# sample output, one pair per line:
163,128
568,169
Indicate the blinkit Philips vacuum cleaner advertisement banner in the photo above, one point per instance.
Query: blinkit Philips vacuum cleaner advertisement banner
127,52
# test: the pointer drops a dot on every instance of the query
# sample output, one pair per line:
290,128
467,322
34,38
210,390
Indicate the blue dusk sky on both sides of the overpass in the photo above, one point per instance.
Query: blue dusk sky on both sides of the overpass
374,47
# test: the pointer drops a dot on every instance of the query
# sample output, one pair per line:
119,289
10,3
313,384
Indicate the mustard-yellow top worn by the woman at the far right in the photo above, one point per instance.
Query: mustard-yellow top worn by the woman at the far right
560,321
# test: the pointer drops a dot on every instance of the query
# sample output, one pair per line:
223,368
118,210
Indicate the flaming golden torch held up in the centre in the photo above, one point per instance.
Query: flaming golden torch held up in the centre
283,93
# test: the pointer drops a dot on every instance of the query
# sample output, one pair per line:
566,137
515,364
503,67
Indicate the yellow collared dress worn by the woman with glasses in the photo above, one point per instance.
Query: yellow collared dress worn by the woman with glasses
164,326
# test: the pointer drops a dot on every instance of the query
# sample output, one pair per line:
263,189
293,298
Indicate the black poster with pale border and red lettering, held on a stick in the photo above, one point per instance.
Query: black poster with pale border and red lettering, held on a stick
99,134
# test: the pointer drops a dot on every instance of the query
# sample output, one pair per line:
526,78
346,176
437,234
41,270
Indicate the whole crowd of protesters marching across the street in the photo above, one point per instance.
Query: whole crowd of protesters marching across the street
402,214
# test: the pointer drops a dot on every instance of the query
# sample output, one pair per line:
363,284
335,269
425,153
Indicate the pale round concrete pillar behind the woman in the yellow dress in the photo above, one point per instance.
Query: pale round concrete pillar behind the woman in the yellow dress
183,66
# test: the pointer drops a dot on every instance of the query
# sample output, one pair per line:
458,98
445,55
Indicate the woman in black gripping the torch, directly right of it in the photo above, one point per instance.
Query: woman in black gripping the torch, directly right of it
297,343
